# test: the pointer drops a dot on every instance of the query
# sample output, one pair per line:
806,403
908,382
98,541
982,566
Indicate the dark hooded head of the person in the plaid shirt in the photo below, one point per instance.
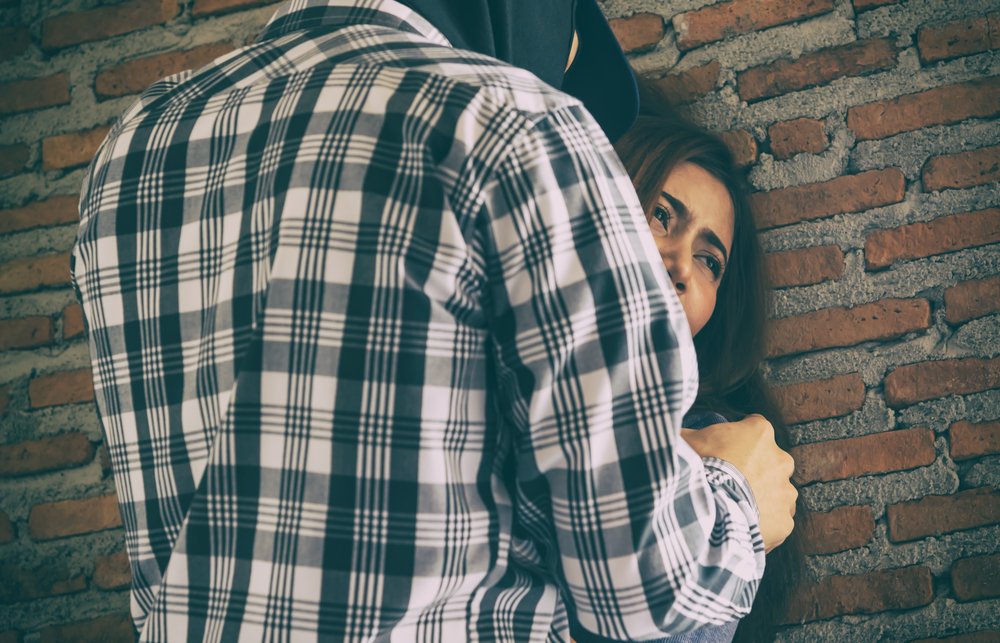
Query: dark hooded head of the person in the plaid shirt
537,35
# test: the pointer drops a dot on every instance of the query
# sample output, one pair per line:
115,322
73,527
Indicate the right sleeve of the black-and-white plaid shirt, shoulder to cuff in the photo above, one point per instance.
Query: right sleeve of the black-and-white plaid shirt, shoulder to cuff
596,368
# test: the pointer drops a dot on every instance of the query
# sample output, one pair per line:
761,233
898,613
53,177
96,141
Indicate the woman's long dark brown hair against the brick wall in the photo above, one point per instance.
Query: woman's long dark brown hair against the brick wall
730,346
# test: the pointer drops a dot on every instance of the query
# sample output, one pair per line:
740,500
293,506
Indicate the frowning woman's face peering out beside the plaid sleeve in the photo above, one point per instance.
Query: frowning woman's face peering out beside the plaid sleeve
692,225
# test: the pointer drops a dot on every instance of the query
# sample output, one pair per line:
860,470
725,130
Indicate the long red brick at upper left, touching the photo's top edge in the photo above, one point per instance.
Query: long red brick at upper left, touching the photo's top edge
105,22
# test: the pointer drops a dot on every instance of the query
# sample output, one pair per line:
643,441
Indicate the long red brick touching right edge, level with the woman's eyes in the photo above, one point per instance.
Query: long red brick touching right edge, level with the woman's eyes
944,234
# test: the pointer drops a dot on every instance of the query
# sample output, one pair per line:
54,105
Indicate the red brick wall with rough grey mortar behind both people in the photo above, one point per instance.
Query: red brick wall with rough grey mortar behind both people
870,134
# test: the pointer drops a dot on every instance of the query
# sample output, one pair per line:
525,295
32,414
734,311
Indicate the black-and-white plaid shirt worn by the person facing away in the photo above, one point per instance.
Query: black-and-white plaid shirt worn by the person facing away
381,349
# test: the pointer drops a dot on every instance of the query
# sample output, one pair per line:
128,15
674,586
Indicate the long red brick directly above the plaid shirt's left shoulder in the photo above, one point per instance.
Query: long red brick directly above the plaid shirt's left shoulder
136,75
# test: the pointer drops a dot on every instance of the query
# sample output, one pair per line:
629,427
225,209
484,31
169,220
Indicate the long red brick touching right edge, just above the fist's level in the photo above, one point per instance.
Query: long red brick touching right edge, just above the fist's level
928,380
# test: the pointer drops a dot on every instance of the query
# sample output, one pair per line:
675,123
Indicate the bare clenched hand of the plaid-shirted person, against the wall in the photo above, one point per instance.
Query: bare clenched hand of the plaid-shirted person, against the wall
749,446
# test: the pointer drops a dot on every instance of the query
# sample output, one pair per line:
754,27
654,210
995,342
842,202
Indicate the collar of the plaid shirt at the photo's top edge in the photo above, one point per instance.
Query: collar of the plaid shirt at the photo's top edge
302,15
